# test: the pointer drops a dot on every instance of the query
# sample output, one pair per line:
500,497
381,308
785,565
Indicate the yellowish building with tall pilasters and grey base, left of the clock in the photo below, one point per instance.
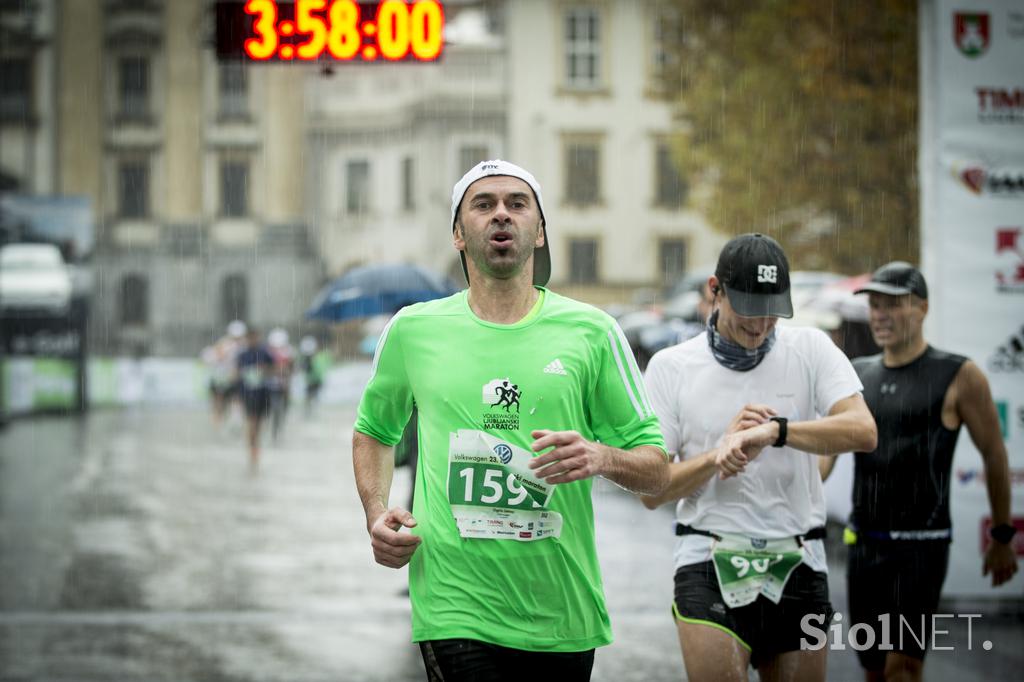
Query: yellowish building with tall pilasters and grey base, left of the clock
194,168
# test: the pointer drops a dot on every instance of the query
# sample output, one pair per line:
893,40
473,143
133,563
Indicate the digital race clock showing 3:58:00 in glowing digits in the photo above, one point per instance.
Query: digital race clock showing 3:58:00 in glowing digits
344,30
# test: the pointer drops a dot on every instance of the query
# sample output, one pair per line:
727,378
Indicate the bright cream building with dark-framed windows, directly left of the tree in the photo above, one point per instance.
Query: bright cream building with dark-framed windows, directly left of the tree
591,119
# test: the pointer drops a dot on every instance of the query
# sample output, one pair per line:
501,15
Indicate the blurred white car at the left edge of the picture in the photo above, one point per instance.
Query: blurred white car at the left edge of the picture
34,279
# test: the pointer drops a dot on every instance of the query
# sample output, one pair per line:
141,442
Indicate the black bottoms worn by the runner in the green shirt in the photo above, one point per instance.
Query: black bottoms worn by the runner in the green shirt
473,661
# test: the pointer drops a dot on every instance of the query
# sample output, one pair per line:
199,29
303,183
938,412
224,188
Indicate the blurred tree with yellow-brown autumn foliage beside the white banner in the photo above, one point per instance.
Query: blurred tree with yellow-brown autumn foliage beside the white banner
801,117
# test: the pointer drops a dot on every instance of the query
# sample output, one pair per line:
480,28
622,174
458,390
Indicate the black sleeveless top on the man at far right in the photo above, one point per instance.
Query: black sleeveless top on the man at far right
905,484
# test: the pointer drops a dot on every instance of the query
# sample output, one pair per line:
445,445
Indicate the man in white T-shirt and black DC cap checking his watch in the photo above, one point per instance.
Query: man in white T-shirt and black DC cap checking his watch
743,408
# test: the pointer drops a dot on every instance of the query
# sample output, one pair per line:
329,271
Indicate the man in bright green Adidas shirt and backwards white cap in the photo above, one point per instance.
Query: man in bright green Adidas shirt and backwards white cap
524,397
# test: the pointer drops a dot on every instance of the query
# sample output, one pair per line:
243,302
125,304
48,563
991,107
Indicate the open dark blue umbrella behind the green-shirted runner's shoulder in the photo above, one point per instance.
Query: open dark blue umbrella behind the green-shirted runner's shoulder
374,290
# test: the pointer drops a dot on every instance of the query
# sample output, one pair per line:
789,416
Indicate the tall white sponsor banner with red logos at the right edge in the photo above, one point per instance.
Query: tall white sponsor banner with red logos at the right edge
972,194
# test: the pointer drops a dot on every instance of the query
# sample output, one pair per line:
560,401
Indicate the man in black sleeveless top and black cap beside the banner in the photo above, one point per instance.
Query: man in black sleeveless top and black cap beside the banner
920,397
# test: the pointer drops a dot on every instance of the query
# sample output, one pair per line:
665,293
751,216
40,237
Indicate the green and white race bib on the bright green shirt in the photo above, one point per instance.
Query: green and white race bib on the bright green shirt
493,493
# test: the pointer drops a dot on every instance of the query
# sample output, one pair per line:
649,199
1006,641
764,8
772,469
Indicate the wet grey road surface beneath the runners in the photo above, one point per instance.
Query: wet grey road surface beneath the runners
136,545
